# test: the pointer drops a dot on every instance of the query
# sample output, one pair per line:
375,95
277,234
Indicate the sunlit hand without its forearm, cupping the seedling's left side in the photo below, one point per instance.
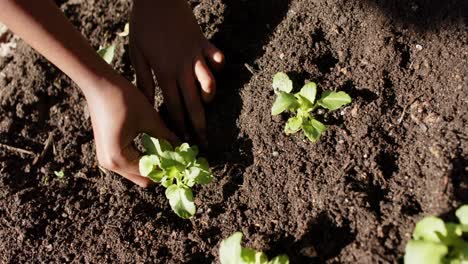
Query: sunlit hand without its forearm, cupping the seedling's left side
119,112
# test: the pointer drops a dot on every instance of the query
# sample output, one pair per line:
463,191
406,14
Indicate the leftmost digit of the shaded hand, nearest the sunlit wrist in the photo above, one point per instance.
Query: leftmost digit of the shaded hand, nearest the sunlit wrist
144,75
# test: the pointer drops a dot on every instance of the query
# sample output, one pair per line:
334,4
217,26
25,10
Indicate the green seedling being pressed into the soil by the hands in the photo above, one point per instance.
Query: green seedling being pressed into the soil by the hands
176,169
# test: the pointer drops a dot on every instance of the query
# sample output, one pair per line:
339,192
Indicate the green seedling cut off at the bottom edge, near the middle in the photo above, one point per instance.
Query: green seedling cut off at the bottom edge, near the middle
231,252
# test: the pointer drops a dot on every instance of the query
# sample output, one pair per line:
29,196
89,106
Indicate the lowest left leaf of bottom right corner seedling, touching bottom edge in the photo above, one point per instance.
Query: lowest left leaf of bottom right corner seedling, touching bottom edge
424,252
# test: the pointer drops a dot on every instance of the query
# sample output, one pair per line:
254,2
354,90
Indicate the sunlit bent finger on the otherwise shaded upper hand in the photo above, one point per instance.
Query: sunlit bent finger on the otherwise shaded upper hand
206,80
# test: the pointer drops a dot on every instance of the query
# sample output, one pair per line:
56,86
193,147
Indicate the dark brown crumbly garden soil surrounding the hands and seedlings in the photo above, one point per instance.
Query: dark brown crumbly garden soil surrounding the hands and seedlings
396,154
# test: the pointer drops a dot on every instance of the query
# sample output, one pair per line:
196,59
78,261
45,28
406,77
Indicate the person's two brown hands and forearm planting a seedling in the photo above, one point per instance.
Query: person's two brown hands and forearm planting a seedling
165,39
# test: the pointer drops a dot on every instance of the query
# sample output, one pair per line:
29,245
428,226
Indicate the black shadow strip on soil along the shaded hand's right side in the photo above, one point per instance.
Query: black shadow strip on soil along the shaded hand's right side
241,36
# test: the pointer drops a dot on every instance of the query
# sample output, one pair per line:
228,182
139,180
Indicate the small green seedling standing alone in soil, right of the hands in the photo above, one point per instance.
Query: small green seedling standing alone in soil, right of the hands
302,105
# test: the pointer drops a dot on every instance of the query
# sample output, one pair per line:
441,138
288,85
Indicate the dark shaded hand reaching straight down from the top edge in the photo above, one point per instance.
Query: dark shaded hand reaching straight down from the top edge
165,38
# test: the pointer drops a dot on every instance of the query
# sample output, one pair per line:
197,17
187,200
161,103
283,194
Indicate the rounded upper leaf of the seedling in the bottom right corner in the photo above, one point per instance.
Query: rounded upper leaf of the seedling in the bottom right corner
430,229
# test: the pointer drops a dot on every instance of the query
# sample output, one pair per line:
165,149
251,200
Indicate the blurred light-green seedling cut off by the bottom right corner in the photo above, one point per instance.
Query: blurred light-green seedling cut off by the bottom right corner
437,242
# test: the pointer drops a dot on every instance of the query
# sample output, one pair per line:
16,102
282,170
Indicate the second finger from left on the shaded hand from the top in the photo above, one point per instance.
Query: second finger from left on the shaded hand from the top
174,105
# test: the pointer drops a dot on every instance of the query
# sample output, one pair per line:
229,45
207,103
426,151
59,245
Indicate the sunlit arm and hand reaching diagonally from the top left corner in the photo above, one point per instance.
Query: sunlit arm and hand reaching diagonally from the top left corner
119,111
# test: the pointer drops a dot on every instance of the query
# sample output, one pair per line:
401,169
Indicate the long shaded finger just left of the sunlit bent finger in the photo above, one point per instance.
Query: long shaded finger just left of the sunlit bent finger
193,103
